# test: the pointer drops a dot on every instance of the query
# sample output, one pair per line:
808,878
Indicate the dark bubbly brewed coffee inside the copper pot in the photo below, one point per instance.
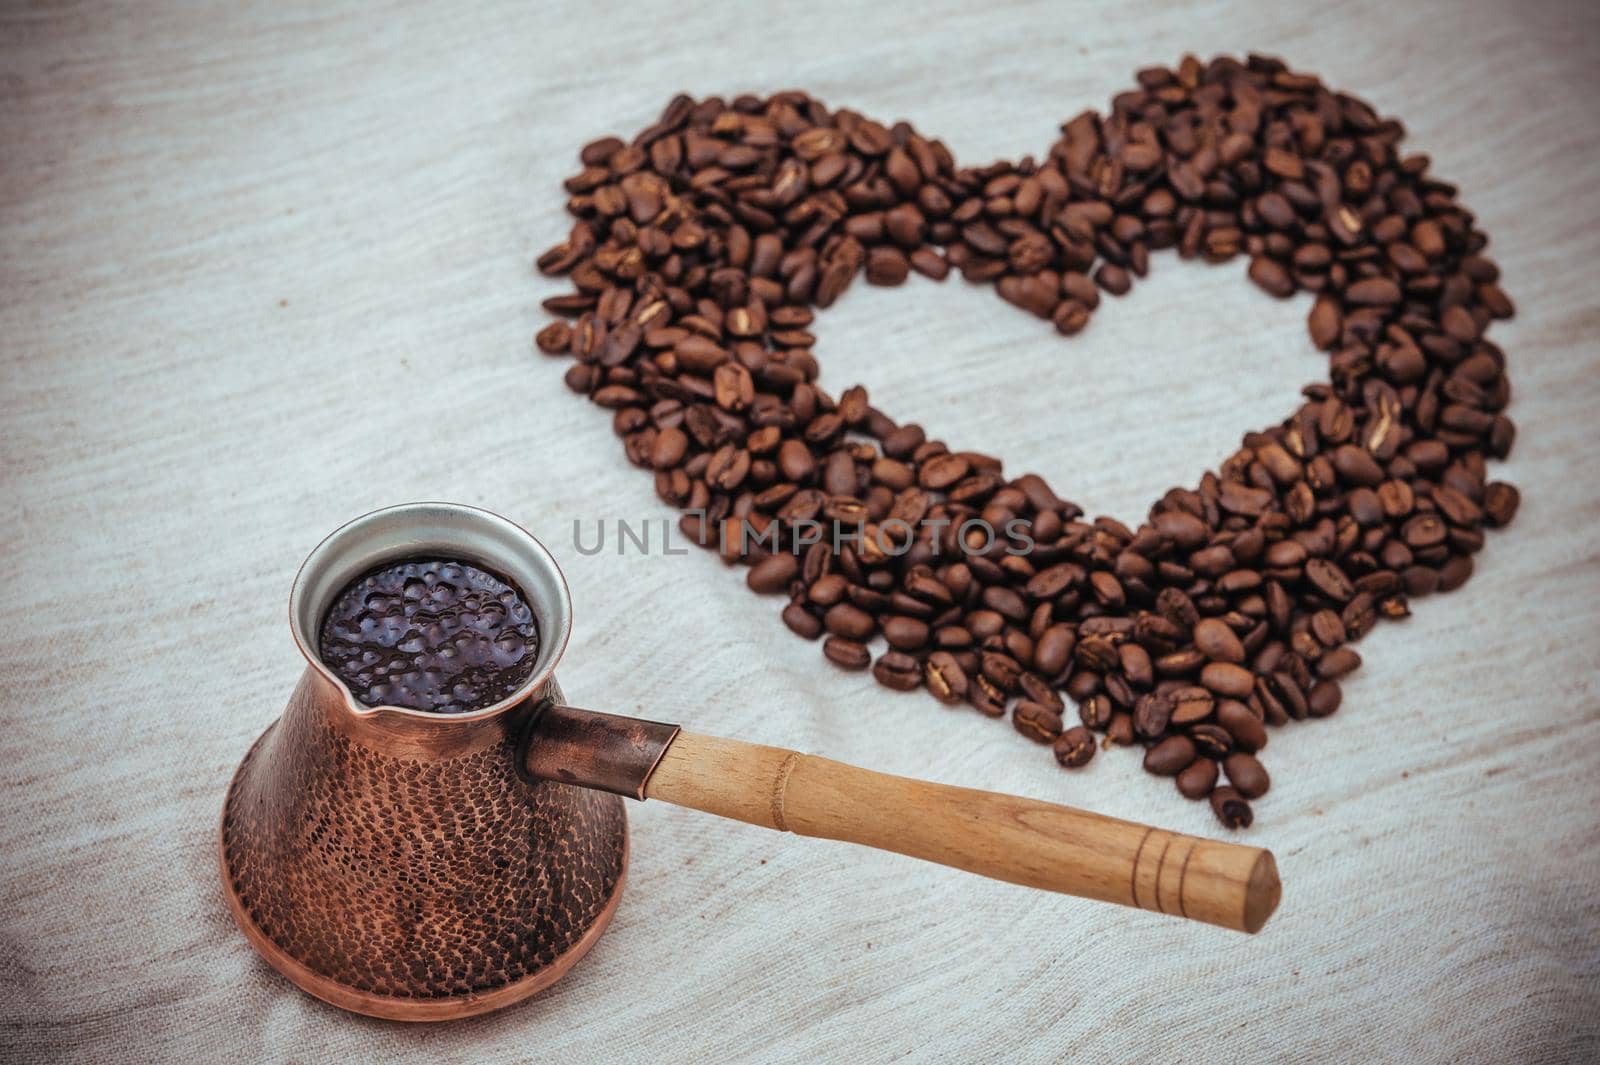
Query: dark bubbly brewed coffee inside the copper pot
431,634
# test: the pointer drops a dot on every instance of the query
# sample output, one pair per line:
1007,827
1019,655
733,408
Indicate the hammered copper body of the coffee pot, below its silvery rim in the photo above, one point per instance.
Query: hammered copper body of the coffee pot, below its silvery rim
406,869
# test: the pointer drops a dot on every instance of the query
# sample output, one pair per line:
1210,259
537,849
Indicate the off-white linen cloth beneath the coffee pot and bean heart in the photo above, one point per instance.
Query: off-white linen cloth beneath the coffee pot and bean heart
268,268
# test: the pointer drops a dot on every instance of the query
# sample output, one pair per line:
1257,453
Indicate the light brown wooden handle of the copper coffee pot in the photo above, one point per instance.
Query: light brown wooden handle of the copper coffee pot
1004,837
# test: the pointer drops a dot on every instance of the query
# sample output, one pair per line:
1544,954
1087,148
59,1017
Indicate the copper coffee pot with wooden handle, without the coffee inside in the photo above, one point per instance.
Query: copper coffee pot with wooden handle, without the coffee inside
423,868
